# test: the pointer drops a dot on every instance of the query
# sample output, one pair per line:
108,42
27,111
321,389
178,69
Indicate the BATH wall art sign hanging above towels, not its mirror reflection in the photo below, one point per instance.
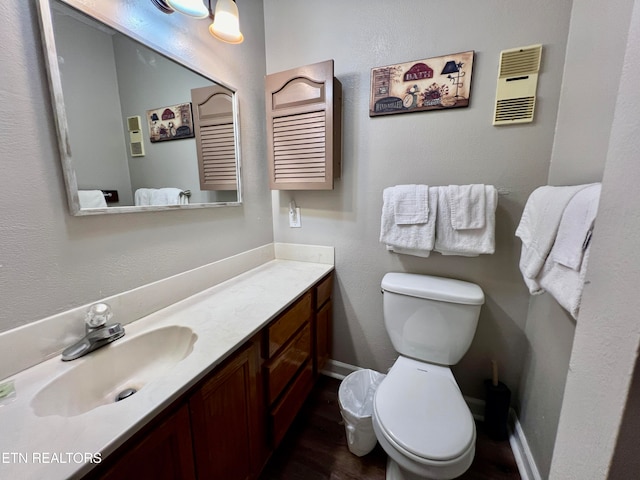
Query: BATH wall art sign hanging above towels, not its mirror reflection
430,84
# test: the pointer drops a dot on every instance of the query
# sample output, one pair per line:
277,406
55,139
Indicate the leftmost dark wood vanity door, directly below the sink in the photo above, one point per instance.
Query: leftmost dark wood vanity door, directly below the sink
164,454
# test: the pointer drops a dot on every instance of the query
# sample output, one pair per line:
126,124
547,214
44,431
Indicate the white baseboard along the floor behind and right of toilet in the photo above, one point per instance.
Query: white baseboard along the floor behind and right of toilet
521,451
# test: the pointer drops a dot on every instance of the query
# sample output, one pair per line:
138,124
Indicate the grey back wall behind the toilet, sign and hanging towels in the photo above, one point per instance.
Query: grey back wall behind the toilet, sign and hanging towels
436,148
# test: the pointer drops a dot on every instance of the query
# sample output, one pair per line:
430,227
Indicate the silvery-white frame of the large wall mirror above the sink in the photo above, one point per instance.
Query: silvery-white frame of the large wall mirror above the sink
62,127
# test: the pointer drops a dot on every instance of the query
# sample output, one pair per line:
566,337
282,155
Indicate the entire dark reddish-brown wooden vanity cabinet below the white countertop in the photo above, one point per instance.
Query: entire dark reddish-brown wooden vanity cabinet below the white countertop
227,425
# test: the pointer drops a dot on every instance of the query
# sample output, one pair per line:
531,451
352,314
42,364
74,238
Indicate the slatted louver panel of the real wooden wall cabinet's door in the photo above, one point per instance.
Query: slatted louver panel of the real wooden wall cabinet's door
299,147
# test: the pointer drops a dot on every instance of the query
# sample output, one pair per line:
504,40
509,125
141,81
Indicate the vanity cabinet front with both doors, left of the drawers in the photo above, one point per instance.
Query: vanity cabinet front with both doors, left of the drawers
217,433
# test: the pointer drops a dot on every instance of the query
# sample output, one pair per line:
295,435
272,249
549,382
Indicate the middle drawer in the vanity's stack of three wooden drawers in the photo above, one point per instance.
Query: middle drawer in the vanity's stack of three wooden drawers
281,370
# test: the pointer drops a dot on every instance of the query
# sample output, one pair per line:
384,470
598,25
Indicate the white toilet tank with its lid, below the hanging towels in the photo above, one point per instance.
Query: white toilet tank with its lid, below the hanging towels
431,318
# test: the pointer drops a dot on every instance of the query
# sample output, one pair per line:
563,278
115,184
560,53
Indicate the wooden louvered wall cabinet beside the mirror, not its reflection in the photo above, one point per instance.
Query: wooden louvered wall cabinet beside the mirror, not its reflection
304,122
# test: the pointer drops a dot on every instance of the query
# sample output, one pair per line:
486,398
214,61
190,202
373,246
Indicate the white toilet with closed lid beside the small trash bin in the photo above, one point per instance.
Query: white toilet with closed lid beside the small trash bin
419,415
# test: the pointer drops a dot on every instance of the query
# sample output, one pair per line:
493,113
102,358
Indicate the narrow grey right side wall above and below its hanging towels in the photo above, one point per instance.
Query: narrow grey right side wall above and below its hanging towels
595,53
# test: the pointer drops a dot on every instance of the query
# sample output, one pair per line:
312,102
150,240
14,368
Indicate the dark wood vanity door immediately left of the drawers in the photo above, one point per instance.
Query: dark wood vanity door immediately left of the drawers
226,424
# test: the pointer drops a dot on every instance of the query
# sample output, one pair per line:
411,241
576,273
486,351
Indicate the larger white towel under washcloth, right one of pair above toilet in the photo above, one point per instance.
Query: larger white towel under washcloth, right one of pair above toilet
465,242
